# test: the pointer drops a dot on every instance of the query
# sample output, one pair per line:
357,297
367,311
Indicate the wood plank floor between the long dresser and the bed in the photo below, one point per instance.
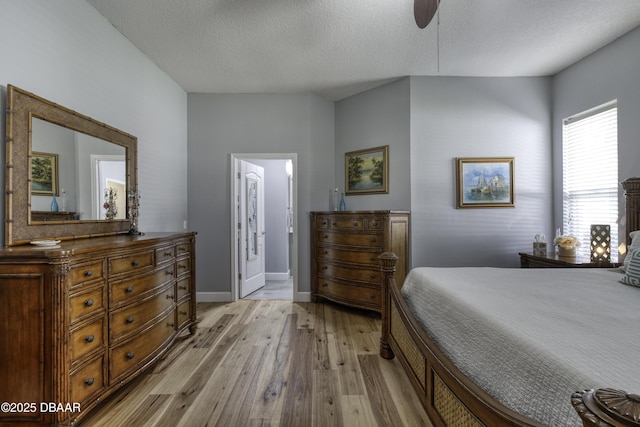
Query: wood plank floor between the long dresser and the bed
270,363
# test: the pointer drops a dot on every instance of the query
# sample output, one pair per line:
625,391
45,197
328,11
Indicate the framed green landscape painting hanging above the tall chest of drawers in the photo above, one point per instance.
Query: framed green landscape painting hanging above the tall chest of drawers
367,171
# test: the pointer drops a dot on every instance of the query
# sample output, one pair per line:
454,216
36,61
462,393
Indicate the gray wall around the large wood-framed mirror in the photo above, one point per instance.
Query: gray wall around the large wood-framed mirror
68,53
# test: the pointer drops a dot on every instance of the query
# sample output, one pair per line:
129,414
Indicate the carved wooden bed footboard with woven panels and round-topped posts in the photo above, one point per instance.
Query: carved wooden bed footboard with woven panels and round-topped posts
452,399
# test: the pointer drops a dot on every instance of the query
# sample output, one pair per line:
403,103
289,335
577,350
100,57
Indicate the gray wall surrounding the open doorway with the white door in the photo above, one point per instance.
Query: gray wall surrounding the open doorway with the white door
253,123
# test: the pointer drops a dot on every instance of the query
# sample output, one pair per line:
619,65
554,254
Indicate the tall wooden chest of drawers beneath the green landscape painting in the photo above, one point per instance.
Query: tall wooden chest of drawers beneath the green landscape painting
344,254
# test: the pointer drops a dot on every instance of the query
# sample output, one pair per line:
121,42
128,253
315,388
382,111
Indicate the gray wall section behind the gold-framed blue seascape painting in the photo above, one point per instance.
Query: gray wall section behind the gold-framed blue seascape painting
478,117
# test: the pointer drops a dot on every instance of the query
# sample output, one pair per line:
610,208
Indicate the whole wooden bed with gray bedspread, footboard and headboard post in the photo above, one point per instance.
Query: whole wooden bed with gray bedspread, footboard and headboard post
518,347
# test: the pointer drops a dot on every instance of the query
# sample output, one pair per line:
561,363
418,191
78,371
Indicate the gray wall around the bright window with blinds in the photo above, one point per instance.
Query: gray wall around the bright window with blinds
610,73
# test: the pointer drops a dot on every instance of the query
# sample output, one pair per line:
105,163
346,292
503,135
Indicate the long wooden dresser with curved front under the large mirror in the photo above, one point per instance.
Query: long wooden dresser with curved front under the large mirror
79,320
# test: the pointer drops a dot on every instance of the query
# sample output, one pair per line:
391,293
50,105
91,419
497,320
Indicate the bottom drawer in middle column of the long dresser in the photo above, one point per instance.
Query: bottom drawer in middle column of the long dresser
131,354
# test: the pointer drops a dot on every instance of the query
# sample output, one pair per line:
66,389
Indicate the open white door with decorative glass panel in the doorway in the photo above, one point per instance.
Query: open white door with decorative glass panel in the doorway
251,230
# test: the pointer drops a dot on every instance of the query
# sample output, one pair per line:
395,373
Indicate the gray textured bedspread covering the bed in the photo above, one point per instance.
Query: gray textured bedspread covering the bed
531,337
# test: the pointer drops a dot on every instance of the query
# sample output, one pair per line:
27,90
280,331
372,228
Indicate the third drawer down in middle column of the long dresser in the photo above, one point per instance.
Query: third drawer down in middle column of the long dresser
131,319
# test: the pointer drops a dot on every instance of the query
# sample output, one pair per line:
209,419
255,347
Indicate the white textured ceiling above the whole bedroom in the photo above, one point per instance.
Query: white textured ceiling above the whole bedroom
337,48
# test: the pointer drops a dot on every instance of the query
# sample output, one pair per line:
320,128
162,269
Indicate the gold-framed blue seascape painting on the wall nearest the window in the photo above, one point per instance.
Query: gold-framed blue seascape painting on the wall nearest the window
485,182
